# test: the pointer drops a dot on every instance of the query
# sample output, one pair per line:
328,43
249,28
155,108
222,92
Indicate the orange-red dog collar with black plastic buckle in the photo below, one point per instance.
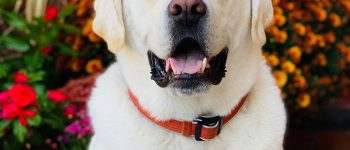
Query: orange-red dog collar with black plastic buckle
204,128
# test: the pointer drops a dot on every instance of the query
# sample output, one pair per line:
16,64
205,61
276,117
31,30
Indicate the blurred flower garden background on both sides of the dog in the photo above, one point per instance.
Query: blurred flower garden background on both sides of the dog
50,57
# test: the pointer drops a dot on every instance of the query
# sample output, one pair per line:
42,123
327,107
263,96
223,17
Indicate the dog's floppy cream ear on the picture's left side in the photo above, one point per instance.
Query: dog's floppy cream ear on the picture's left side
108,23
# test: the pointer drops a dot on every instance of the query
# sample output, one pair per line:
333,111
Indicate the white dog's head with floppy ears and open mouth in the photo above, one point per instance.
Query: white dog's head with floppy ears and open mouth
187,41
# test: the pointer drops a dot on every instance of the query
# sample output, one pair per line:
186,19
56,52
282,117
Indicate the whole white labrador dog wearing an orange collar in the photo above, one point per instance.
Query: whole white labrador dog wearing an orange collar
209,87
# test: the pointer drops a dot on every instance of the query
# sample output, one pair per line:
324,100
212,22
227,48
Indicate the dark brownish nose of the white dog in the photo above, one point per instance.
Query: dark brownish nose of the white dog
187,12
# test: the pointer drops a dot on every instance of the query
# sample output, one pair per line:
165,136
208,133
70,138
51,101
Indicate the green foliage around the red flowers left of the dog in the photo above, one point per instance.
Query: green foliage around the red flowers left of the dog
22,49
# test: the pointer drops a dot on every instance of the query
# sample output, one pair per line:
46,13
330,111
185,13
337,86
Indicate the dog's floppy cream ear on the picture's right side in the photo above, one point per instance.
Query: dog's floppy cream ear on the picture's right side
262,14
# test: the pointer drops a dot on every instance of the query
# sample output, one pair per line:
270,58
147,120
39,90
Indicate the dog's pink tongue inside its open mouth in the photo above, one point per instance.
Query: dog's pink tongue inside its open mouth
190,63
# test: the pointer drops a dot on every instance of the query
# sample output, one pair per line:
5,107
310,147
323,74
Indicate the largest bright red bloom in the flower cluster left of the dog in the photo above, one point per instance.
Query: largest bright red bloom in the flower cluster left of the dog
22,95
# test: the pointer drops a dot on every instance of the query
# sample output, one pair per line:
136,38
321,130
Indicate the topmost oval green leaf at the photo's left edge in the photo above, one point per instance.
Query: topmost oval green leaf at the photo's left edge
14,19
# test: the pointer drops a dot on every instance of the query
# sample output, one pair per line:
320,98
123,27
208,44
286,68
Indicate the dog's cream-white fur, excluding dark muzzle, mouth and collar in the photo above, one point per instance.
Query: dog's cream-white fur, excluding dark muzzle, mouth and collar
260,125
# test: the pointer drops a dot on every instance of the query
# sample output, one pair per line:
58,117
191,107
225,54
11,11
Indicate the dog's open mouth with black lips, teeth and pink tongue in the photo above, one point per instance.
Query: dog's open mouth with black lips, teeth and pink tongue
188,64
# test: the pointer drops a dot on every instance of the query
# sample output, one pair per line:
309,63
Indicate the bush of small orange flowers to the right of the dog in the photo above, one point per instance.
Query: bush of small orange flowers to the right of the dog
309,48
